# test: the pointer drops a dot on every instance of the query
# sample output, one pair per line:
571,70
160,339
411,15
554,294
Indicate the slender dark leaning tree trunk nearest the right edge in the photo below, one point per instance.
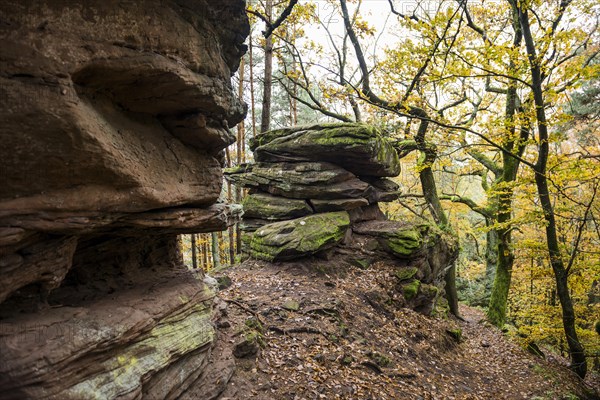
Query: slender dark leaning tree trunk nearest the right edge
561,274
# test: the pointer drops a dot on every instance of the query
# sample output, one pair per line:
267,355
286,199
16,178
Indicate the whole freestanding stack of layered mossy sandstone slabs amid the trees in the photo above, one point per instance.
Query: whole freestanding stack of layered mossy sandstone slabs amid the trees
315,191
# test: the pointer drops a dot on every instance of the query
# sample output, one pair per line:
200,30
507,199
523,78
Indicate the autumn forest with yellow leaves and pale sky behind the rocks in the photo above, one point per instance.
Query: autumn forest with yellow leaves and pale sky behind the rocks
495,106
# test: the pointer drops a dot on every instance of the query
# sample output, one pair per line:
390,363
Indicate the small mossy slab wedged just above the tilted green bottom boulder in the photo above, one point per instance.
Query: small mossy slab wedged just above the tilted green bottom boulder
268,207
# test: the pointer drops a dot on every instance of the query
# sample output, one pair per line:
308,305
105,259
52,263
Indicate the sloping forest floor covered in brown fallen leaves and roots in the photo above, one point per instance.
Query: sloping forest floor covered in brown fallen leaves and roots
308,331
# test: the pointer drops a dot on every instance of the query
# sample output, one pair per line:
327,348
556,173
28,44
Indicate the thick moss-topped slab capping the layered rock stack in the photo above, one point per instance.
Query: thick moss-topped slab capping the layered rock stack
359,148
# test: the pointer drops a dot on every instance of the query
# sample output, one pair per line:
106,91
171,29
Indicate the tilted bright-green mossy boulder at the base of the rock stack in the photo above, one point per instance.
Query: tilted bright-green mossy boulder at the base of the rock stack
300,237
